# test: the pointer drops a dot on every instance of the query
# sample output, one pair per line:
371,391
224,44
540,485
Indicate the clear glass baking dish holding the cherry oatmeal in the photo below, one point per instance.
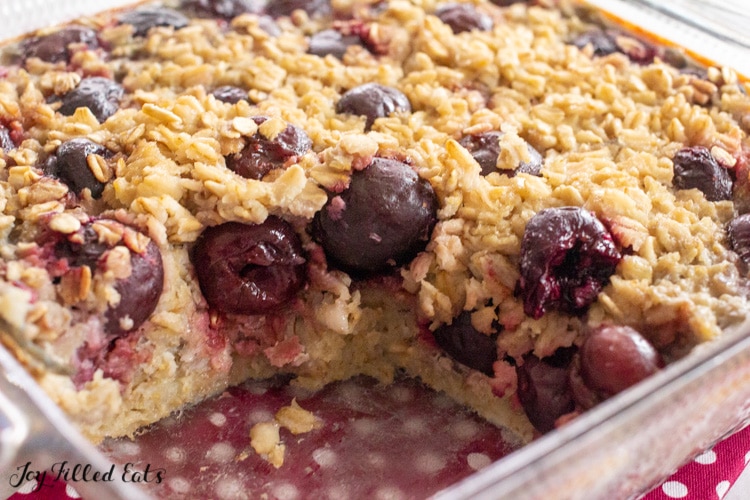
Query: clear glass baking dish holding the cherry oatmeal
620,449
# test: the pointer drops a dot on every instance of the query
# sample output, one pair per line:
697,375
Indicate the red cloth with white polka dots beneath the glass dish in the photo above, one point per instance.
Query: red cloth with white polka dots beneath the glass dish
207,454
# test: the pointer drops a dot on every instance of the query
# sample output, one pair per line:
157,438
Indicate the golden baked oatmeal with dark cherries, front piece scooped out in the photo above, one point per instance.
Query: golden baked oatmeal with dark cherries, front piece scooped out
514,202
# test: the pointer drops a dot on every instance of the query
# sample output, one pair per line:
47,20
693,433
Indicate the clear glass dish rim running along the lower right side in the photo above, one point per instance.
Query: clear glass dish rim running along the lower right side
553,455
